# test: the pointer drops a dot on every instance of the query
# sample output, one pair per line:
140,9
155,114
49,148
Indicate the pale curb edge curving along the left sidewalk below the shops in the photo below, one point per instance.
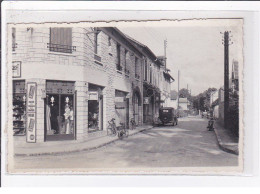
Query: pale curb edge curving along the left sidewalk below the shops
81,149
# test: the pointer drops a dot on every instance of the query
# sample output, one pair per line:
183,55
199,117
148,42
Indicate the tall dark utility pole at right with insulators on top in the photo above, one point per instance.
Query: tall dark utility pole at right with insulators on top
226,44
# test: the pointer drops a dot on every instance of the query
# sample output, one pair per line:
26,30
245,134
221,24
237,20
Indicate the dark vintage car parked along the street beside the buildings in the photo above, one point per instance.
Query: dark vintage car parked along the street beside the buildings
167,115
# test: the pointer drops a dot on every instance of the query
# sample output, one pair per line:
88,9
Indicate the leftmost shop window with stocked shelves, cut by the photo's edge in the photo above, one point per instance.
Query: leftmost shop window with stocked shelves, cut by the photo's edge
19,107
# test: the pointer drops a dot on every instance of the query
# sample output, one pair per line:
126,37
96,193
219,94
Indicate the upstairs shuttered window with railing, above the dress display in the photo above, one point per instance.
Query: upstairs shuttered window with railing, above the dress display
61,40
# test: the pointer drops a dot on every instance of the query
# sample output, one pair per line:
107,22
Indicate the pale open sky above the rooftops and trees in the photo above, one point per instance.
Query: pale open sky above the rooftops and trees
194,48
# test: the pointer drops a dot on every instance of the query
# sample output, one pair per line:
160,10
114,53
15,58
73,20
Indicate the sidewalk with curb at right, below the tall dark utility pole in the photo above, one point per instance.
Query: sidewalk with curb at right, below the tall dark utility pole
226,140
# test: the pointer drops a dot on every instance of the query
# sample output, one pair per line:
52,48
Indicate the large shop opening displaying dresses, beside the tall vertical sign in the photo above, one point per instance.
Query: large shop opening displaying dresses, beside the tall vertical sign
60,111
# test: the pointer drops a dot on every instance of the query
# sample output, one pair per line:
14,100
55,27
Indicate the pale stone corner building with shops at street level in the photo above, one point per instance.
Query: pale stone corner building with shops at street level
69,82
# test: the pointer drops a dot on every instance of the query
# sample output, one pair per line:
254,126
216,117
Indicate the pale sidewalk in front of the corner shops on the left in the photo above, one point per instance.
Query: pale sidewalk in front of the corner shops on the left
59,147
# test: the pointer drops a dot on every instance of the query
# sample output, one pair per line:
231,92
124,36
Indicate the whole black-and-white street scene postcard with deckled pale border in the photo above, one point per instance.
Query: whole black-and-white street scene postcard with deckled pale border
125,97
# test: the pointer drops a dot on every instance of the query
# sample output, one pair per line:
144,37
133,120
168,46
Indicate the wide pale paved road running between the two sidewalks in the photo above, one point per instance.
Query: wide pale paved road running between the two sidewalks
187,145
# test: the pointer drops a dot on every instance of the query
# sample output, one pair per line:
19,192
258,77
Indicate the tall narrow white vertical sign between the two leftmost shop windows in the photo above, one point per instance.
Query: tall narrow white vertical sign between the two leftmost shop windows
31,112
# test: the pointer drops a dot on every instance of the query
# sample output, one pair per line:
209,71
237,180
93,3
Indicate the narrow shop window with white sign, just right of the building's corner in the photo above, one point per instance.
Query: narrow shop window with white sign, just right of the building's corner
95,108
